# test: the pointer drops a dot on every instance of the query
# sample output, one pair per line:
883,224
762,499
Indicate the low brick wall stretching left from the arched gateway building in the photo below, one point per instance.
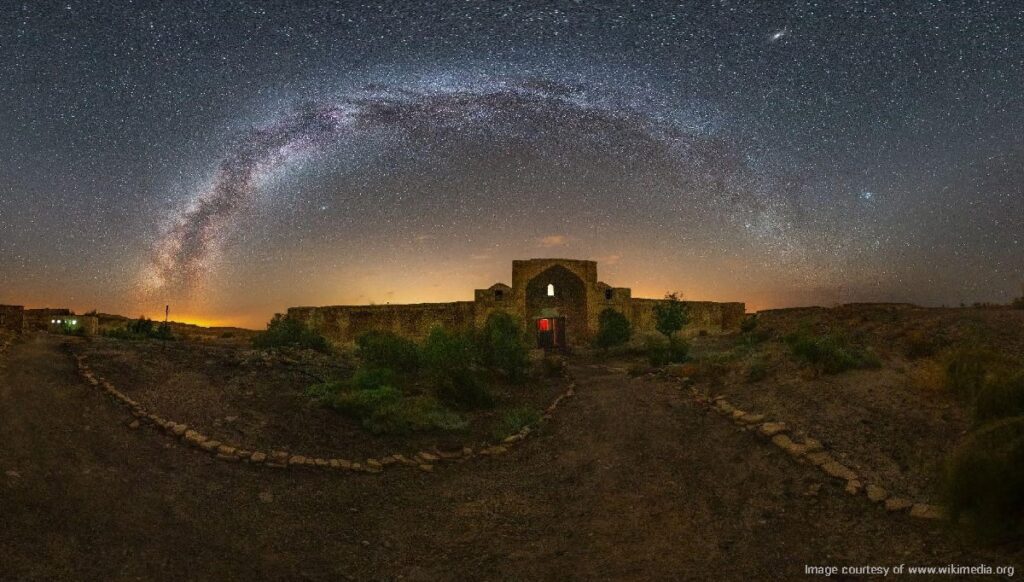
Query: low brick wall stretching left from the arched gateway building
344,324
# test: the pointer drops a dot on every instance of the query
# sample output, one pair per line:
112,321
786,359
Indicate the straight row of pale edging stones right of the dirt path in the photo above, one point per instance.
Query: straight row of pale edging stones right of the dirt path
812,450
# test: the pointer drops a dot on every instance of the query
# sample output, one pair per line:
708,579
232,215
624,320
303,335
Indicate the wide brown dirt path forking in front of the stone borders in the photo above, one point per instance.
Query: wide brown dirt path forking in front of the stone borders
632,481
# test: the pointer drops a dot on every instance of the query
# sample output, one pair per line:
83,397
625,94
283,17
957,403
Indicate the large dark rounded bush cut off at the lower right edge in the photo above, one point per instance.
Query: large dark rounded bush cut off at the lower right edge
986,478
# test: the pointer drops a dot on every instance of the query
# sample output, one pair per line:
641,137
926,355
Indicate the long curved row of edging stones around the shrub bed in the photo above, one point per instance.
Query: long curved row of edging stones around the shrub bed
282,460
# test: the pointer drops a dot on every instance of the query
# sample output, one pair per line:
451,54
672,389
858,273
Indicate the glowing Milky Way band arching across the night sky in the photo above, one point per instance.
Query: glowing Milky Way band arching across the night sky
194,237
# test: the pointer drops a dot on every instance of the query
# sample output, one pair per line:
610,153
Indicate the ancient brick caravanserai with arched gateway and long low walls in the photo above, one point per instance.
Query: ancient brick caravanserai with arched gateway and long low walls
560,300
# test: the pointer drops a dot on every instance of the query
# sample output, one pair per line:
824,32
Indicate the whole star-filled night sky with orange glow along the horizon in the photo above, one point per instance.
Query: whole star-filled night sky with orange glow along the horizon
233,159
